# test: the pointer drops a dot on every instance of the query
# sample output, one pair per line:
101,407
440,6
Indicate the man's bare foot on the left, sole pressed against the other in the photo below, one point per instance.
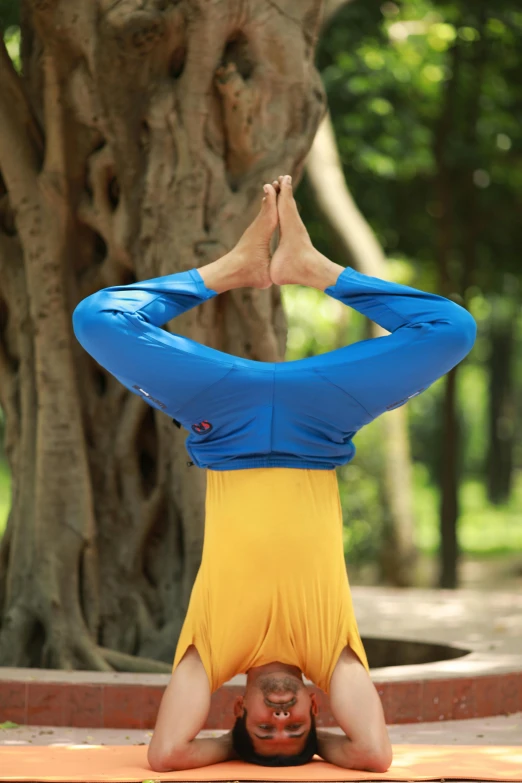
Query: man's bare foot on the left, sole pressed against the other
247,265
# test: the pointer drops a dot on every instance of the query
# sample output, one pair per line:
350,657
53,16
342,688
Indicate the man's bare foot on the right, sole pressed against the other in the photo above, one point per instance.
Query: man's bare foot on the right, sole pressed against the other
296,260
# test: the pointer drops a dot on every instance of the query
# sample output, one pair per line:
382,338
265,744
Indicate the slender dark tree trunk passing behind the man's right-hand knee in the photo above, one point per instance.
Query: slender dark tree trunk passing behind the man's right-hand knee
457,241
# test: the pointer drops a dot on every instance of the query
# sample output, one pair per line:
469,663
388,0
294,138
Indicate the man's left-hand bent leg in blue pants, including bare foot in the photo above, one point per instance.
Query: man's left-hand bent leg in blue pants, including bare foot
121,326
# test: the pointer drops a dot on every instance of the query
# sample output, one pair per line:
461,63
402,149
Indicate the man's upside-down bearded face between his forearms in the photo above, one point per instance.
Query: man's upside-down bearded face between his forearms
279,713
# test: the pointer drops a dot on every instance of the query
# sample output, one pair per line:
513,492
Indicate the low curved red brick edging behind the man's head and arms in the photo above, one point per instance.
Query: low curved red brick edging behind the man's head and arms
88,699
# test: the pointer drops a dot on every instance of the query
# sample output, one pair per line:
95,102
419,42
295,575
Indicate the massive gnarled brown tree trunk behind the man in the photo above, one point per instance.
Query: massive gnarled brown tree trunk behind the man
134,146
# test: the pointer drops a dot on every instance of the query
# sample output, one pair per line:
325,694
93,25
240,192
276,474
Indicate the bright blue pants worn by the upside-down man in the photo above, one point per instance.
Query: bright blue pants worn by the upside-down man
242,413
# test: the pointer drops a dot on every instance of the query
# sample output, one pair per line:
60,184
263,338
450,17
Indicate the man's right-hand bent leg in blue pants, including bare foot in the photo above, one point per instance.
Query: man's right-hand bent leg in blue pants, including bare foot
429,333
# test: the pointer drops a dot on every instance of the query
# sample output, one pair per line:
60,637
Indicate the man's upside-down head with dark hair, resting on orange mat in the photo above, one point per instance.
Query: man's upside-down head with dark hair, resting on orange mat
275,721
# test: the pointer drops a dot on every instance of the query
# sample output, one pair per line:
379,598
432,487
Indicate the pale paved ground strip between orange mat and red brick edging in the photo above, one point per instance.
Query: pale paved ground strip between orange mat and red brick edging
504,730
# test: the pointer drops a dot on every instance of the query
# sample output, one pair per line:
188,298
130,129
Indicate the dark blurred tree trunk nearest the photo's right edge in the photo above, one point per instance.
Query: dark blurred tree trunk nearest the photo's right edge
501,402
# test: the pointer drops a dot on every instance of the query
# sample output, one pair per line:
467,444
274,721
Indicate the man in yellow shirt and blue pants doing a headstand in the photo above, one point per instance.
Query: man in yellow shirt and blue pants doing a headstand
271,597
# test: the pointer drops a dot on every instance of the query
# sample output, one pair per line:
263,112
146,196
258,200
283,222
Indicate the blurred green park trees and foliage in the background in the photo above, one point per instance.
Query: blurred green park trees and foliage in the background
425,101
